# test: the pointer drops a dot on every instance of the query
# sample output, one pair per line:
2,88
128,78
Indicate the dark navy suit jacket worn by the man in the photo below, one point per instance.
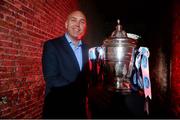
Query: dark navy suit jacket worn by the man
66,85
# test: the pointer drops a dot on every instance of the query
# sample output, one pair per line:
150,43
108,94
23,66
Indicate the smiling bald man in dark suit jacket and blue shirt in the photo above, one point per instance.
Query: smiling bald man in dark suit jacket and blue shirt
65,67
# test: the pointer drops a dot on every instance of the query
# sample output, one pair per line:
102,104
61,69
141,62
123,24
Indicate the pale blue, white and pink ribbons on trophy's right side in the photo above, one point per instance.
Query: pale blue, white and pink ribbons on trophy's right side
142,77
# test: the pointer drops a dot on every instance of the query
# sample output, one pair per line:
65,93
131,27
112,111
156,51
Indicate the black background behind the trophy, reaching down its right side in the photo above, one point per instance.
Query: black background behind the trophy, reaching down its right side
152,20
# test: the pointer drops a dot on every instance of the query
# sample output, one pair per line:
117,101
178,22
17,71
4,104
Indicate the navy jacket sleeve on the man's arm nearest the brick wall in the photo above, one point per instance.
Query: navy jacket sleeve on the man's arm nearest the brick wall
50,64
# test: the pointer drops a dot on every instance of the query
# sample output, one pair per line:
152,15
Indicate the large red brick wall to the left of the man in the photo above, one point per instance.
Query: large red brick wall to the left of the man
24,26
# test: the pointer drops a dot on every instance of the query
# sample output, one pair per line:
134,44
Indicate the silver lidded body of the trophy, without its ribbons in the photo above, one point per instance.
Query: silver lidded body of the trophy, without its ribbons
119,54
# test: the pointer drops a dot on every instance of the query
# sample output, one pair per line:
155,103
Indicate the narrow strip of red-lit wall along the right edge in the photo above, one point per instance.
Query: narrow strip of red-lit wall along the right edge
175,63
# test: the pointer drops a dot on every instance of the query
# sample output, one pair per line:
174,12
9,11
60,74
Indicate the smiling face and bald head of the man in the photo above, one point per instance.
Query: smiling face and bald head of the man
76,25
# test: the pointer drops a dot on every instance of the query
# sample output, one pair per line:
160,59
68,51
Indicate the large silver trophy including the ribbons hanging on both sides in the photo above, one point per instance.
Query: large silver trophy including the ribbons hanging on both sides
121,65
